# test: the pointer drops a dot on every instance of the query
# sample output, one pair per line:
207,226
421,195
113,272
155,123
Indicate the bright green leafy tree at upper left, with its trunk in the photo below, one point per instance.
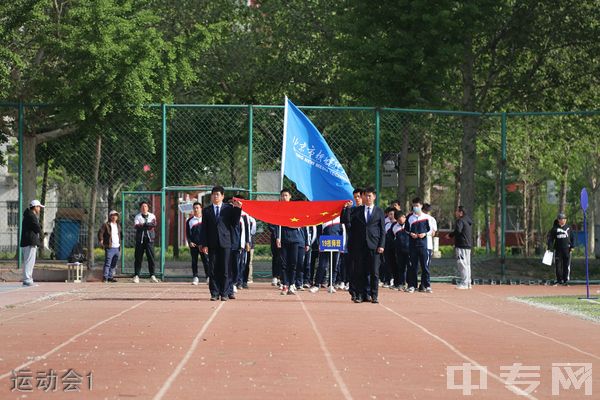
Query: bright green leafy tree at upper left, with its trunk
97,59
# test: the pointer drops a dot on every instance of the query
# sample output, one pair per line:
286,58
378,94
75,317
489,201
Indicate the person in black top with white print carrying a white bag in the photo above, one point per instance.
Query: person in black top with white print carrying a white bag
562,240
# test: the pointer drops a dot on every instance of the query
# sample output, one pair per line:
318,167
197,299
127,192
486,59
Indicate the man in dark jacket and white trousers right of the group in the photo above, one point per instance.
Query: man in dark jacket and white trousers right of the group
463,241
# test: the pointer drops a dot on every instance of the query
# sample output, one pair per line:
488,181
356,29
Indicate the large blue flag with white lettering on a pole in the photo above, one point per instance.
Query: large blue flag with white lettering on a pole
309,162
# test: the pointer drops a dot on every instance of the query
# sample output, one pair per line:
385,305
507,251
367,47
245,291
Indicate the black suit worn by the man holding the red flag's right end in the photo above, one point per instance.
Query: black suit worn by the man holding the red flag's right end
364,239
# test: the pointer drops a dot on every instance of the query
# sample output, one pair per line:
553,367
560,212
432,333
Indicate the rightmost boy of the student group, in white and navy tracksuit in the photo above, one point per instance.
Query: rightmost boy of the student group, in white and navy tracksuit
417,225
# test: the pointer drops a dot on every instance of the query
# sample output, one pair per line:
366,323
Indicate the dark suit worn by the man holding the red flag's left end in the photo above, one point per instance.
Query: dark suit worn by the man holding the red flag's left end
216,235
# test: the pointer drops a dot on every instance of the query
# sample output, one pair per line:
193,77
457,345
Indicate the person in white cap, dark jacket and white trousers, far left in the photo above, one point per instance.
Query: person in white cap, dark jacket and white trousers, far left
30,239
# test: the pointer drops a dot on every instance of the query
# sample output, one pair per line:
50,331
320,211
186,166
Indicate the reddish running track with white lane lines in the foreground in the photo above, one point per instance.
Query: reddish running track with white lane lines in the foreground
168,341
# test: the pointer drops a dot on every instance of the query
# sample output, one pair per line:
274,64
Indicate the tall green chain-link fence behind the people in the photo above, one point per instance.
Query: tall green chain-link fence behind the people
81,171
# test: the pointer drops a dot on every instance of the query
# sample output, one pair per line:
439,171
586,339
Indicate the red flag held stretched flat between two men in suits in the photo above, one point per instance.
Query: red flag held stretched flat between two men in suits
294,214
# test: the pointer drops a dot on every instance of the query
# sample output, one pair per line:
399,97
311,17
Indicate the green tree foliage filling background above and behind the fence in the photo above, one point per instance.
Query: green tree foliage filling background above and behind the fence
98,61
